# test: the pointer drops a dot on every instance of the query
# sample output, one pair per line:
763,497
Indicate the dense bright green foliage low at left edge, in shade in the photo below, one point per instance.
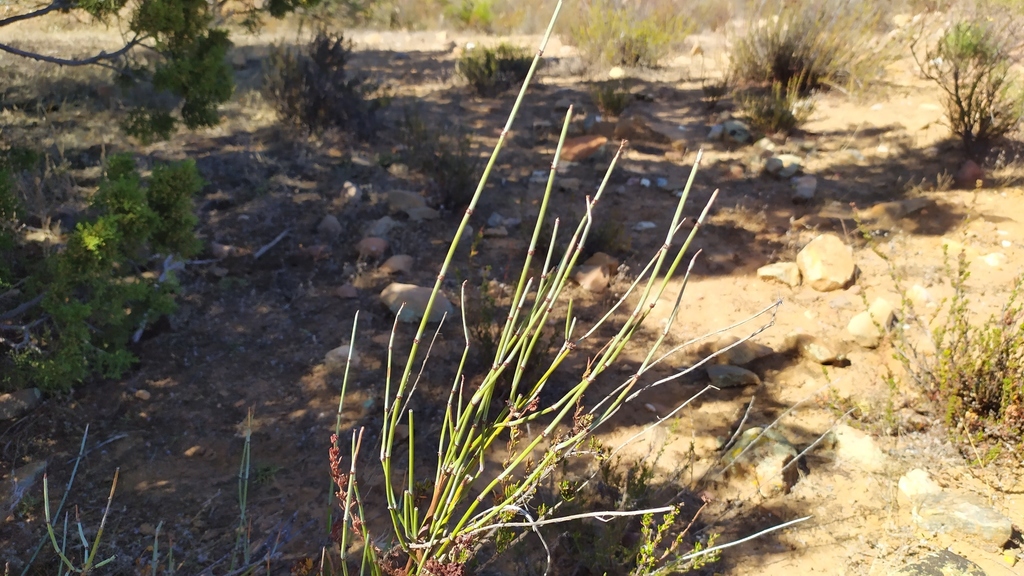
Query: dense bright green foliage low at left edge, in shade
107,283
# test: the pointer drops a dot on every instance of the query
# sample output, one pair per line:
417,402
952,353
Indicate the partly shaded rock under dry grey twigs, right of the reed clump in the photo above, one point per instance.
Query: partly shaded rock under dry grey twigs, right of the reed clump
766,458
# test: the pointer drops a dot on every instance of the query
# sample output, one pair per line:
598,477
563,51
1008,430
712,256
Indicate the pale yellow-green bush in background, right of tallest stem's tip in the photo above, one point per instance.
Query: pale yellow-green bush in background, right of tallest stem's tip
617,33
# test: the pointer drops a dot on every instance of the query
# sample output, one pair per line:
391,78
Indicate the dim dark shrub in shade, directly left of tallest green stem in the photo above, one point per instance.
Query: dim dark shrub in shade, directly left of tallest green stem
446,157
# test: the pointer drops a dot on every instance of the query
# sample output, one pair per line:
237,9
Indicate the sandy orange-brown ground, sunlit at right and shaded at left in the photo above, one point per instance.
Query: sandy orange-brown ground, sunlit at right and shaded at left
252,335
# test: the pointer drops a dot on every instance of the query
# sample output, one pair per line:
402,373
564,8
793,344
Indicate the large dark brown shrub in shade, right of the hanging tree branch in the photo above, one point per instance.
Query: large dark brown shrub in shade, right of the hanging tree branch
314,90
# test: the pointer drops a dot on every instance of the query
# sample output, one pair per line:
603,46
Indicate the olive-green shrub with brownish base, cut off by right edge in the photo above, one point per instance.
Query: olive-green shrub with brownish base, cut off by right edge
978,375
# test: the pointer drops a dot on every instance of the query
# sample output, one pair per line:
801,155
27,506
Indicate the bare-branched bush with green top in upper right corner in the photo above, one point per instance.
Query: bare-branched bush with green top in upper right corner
971,63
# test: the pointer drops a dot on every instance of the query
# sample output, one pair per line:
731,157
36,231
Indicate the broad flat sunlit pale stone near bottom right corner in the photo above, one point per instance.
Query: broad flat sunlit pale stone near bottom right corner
965,515
